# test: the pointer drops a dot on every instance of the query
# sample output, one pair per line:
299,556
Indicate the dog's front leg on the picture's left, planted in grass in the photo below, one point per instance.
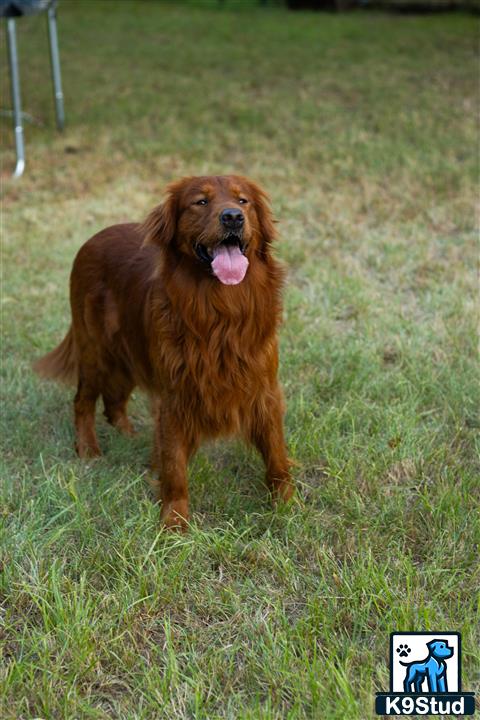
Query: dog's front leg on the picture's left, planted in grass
173,449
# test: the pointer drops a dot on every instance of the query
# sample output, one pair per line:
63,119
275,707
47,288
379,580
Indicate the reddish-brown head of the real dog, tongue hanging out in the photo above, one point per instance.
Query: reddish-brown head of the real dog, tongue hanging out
220,222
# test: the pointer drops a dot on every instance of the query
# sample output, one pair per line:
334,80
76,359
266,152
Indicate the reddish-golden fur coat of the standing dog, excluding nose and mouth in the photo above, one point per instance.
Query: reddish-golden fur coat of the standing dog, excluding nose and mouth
145,311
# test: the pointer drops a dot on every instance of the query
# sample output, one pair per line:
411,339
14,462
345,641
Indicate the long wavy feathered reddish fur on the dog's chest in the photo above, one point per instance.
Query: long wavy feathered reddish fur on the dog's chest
214,350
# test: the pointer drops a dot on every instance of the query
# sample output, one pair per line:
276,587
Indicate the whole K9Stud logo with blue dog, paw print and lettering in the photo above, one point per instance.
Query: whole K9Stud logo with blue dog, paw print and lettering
425,676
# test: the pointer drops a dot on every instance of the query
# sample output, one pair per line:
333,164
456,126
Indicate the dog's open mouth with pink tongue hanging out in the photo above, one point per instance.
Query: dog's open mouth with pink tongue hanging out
227,260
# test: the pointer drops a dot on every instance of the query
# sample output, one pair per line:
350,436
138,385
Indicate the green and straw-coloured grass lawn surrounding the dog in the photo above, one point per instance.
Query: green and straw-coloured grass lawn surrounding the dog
363,129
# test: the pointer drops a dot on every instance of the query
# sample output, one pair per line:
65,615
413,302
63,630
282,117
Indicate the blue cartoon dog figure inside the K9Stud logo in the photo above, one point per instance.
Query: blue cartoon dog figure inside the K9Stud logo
433,669
